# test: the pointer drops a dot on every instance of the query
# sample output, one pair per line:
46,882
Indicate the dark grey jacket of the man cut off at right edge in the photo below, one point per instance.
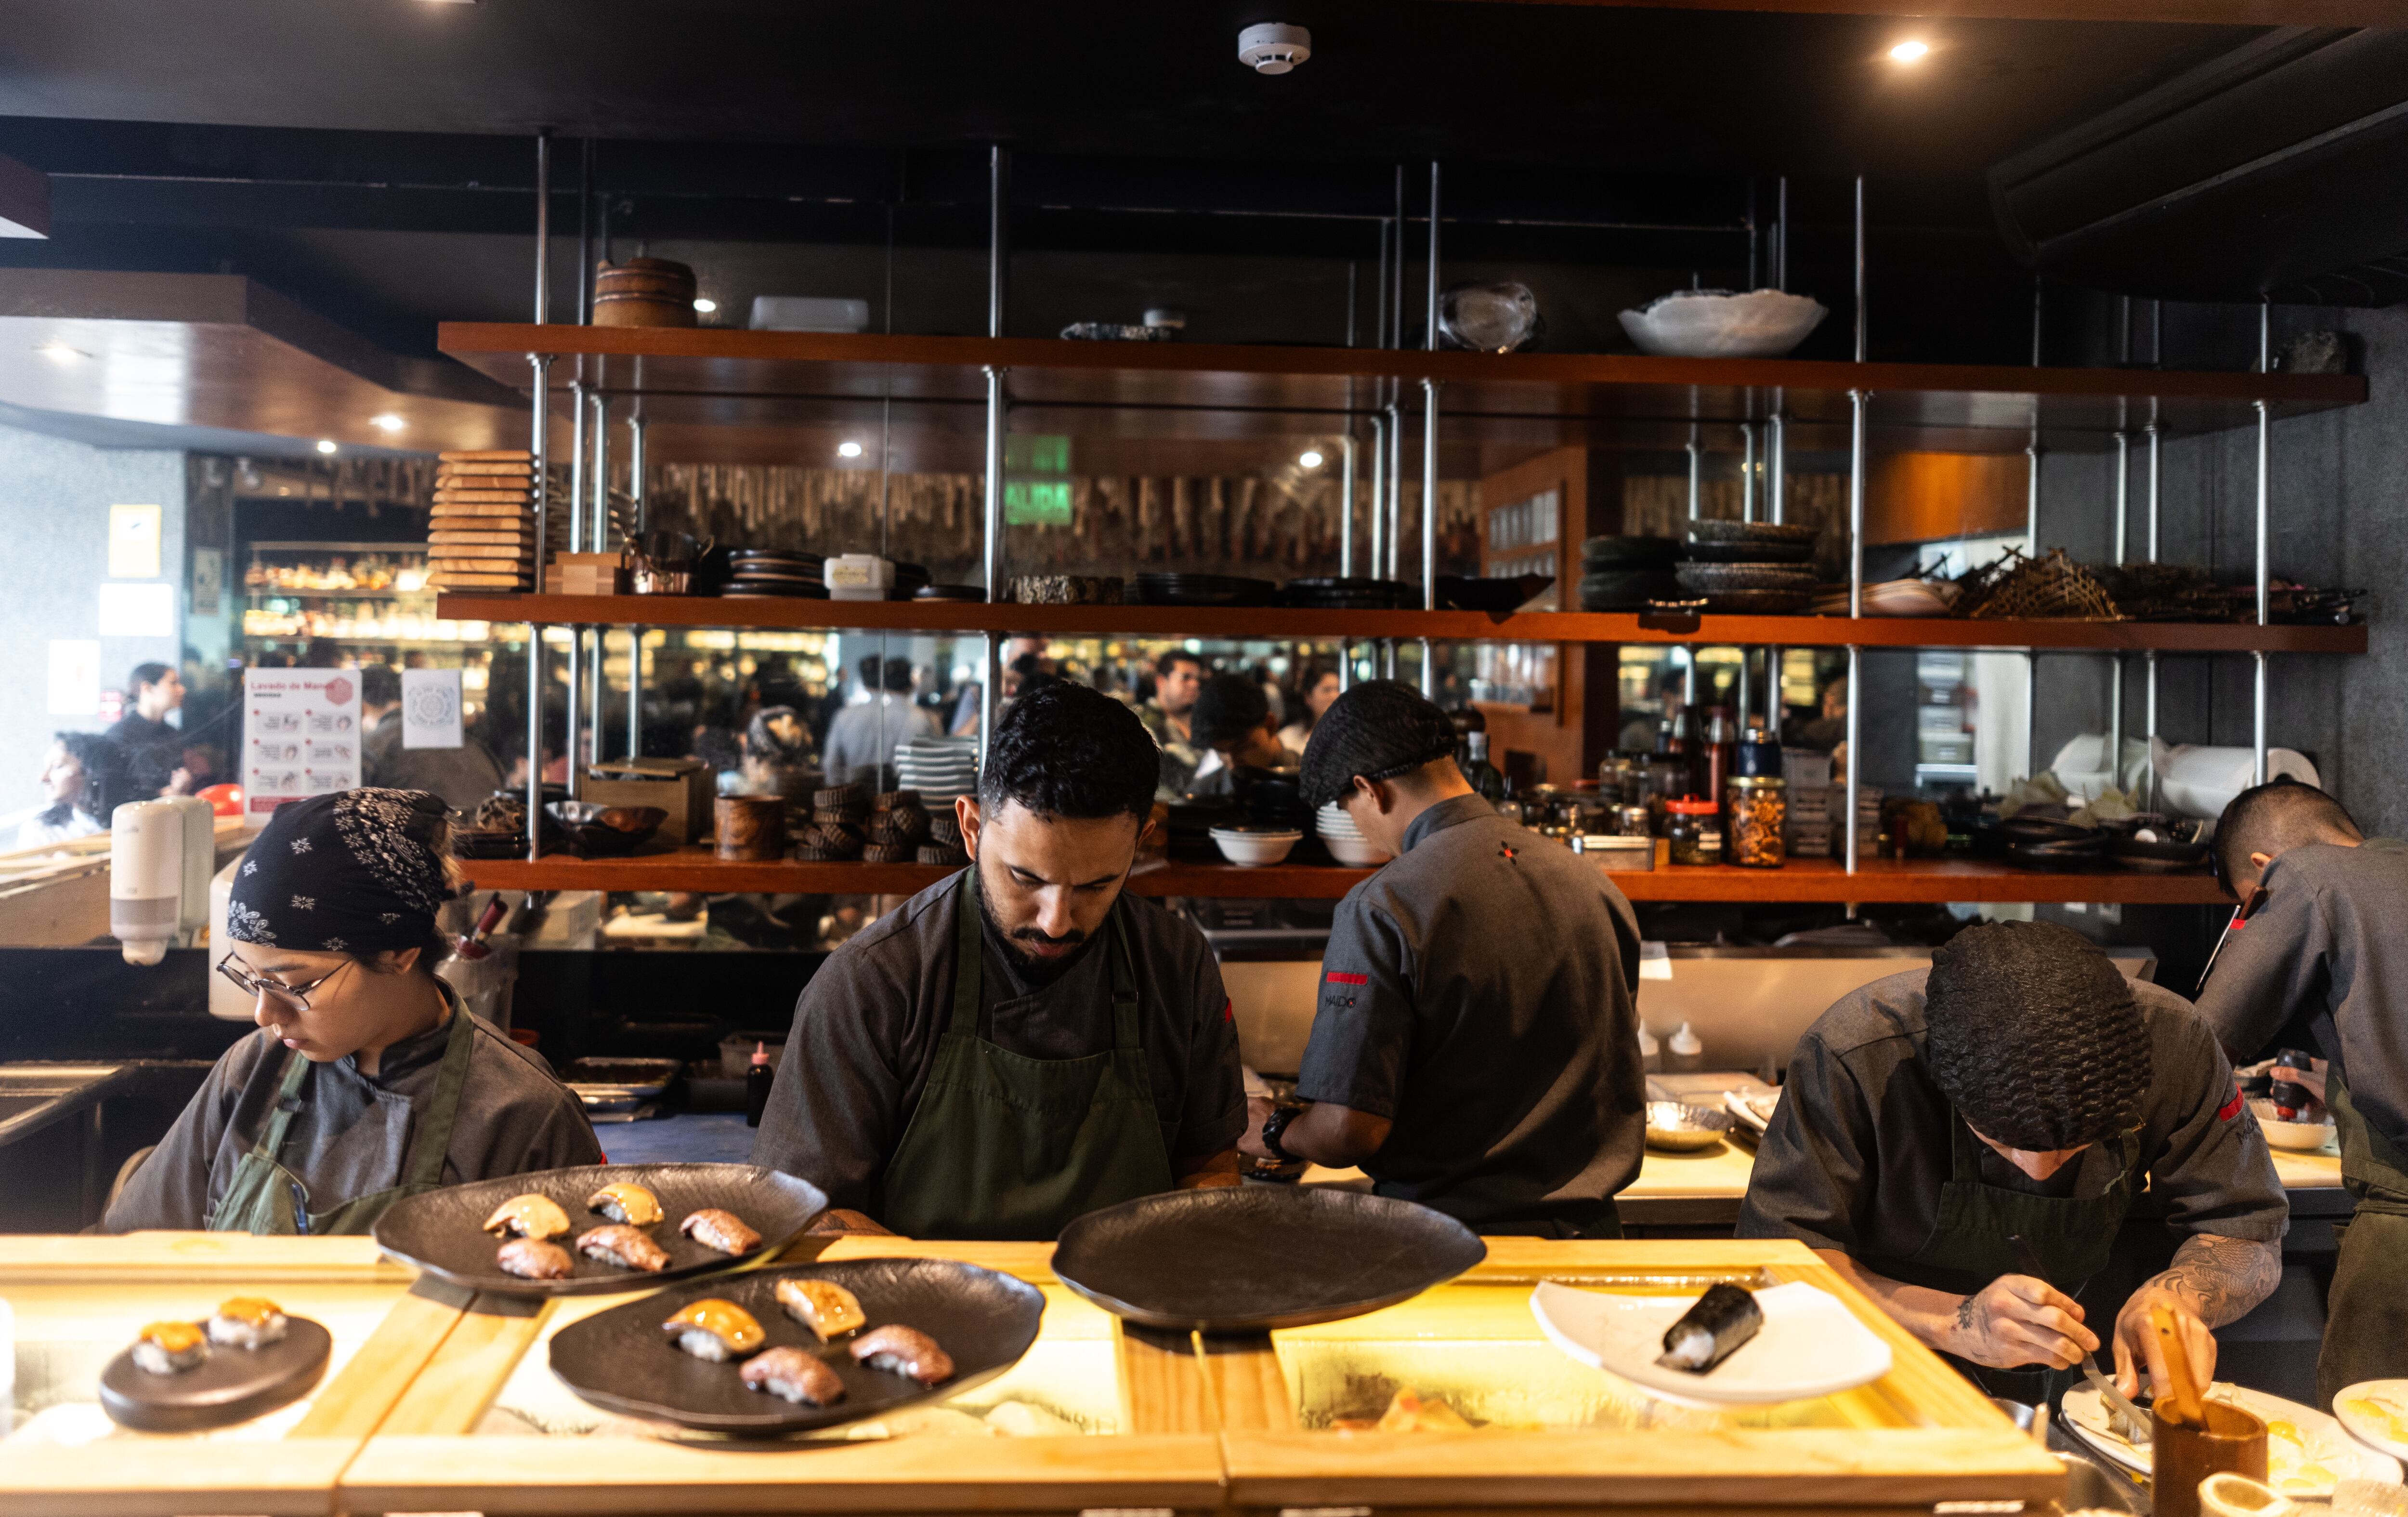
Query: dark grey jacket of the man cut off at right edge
2330,940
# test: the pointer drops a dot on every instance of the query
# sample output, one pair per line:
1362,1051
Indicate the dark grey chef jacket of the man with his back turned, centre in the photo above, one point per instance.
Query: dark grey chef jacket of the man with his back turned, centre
1480,993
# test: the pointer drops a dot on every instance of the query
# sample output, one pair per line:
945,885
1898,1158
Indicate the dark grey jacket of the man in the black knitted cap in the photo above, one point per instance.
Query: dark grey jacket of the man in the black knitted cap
1860,1145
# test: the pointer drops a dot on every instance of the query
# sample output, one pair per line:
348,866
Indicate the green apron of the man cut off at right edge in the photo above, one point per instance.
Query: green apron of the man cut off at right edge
2368,1306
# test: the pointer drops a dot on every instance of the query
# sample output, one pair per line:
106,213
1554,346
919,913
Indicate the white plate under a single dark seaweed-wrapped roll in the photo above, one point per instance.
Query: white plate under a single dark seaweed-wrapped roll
1810,1347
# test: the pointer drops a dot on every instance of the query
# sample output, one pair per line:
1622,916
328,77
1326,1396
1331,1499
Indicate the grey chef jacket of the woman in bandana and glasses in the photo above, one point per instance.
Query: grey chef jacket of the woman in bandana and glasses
355,1131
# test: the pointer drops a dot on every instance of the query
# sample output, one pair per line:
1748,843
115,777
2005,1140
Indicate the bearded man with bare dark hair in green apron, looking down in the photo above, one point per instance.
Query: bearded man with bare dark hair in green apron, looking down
1025,1041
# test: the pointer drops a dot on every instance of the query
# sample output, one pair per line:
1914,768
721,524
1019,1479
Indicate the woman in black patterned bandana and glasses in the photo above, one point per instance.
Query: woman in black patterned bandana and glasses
367,1078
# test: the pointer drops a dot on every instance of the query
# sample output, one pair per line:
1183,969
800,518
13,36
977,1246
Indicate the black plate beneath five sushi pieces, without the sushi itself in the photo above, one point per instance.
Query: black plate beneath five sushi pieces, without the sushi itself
442,1232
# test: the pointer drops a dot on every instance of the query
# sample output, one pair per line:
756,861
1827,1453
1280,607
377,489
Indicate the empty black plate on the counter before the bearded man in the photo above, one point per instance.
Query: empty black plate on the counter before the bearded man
1253,1258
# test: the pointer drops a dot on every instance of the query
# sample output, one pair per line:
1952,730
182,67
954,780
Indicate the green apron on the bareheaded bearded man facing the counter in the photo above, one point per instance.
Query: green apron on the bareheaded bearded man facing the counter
1015,1147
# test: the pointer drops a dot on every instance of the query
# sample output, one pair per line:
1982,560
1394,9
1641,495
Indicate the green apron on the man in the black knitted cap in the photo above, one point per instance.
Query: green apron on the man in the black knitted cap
1985,1232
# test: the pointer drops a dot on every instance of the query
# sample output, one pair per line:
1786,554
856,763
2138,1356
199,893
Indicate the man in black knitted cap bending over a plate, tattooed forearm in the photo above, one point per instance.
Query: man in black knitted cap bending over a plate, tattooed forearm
1966,1140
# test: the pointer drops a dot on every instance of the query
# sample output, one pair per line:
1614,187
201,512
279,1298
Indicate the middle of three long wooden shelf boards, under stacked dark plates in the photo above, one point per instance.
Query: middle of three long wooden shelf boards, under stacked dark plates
1451,627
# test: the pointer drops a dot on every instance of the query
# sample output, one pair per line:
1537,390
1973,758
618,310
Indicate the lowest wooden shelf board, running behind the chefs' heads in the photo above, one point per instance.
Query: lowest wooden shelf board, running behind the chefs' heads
1805,880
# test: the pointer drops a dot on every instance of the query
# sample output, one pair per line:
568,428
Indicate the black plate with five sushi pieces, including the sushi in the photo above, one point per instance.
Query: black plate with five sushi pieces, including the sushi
444,1232
